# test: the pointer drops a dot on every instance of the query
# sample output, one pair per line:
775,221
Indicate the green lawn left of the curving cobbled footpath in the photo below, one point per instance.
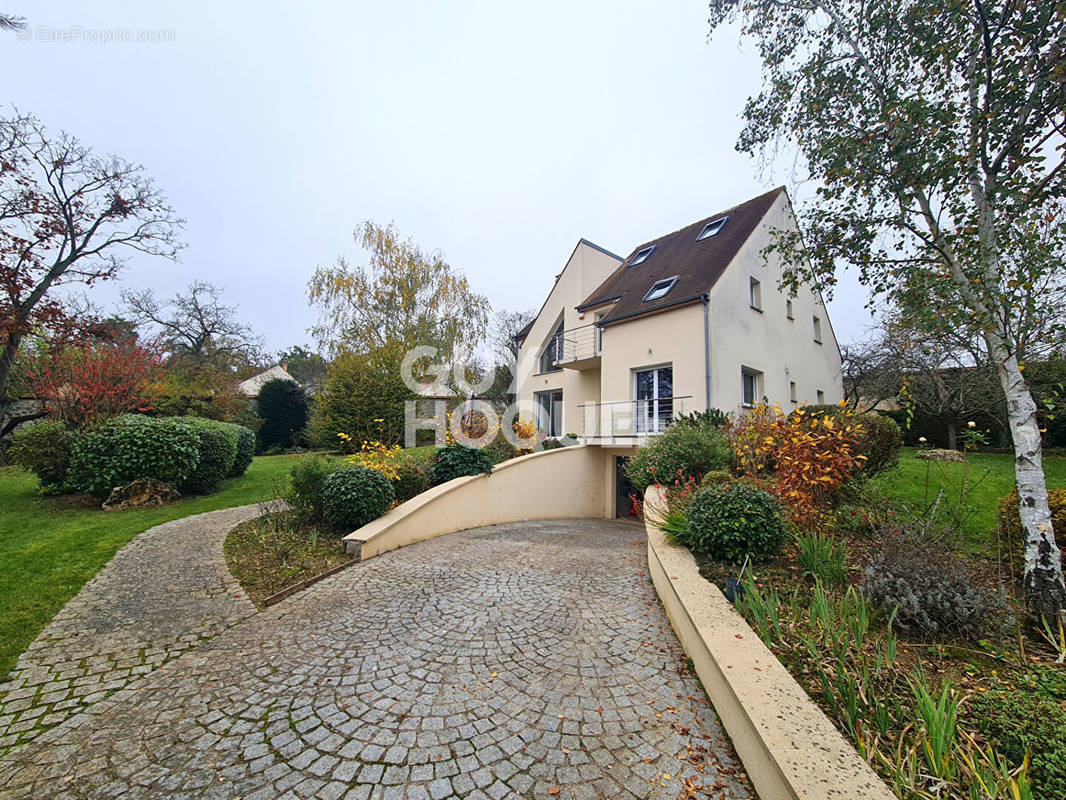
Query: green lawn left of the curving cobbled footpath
50,550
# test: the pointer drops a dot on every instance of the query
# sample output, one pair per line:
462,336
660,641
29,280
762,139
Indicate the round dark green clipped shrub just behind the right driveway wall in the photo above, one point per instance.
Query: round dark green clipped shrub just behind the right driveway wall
732,521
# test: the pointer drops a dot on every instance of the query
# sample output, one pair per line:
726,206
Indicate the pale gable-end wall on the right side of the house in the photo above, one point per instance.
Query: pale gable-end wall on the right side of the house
784,350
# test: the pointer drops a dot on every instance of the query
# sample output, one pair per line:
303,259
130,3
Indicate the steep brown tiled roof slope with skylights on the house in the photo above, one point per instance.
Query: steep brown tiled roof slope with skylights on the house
698,265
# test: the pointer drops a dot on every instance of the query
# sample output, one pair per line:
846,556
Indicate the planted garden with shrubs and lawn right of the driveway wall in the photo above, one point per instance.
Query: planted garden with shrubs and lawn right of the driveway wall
887,582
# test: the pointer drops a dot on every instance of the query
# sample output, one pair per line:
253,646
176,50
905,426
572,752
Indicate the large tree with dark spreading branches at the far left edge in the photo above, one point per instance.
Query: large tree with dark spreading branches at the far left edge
68,217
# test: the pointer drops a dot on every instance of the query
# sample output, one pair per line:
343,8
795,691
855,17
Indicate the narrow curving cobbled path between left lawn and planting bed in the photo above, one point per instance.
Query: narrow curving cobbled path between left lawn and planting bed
165,593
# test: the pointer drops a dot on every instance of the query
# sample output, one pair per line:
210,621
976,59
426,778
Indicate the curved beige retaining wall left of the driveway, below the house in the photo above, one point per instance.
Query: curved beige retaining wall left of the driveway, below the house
554,485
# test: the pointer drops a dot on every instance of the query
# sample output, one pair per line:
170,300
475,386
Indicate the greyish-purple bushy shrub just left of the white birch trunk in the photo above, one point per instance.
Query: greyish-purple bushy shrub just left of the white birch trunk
930,587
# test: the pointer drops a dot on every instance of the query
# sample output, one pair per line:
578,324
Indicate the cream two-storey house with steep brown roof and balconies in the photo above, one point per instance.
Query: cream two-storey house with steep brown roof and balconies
689,322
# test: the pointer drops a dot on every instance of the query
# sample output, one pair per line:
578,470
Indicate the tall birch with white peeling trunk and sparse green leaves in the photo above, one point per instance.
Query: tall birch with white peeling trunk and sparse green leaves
935,135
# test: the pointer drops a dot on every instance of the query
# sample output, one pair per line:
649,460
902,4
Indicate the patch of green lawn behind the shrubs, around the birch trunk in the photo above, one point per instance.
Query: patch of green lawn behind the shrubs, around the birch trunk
989,477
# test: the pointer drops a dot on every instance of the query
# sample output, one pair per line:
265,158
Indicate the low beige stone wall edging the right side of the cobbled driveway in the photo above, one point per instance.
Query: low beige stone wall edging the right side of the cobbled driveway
789,747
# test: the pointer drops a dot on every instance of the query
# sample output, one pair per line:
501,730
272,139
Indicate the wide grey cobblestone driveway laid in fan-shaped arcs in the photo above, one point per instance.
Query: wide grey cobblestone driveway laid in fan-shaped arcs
519,661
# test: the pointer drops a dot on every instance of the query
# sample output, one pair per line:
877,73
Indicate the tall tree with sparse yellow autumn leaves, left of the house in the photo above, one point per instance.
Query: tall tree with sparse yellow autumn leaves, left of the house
403,297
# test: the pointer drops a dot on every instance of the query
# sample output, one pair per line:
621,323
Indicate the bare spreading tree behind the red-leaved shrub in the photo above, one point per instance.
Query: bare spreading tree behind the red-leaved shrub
198,326
